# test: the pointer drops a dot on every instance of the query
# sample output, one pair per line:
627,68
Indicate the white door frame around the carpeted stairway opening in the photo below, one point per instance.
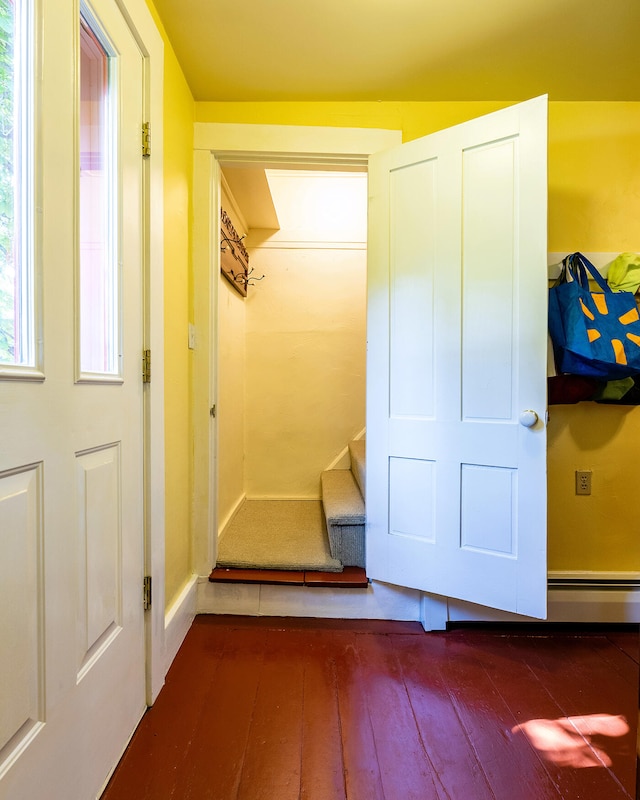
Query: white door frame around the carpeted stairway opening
215,143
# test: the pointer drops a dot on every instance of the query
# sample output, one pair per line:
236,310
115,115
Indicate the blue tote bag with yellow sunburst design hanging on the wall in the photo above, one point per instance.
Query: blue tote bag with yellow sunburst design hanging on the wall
594,333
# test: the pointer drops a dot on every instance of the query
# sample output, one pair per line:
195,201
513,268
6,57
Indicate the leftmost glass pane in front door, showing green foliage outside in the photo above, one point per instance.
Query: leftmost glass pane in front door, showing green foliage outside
16,266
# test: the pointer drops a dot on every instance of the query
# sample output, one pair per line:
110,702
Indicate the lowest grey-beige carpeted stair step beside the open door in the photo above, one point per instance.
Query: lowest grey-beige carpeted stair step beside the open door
345,515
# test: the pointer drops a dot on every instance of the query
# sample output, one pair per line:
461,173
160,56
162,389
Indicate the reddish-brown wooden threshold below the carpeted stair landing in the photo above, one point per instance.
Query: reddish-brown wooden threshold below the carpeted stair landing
349,578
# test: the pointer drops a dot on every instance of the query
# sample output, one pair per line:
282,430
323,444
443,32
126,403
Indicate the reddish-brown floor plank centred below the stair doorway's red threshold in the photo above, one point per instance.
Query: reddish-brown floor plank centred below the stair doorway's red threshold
273,756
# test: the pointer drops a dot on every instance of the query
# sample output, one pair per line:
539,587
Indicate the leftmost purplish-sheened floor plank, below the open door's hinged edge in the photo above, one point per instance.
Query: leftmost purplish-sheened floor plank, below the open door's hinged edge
405,768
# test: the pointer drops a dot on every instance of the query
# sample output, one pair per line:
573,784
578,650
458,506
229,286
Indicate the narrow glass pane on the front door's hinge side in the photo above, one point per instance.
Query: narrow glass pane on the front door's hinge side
99,312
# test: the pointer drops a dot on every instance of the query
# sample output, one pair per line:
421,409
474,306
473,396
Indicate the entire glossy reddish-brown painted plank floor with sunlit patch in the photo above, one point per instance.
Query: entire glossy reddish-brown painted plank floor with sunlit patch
277,709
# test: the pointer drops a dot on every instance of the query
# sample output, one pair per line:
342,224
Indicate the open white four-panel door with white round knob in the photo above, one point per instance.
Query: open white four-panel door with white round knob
457,349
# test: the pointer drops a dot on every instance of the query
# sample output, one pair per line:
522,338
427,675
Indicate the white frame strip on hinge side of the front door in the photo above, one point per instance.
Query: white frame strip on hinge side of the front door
144,29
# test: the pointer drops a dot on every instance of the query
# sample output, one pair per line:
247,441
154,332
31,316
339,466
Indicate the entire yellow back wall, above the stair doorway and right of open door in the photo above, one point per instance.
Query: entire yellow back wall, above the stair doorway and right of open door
594,205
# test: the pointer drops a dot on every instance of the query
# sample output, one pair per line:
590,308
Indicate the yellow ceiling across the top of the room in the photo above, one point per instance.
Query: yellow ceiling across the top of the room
257,50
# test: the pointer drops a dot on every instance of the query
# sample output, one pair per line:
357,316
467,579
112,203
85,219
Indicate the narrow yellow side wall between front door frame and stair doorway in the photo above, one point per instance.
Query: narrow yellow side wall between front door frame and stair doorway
178,169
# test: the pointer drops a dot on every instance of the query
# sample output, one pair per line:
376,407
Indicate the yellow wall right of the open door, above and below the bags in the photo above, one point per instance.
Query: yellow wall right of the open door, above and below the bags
594,206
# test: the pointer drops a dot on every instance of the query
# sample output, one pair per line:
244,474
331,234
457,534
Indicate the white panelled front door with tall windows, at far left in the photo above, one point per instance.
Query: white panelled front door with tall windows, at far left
72,669
